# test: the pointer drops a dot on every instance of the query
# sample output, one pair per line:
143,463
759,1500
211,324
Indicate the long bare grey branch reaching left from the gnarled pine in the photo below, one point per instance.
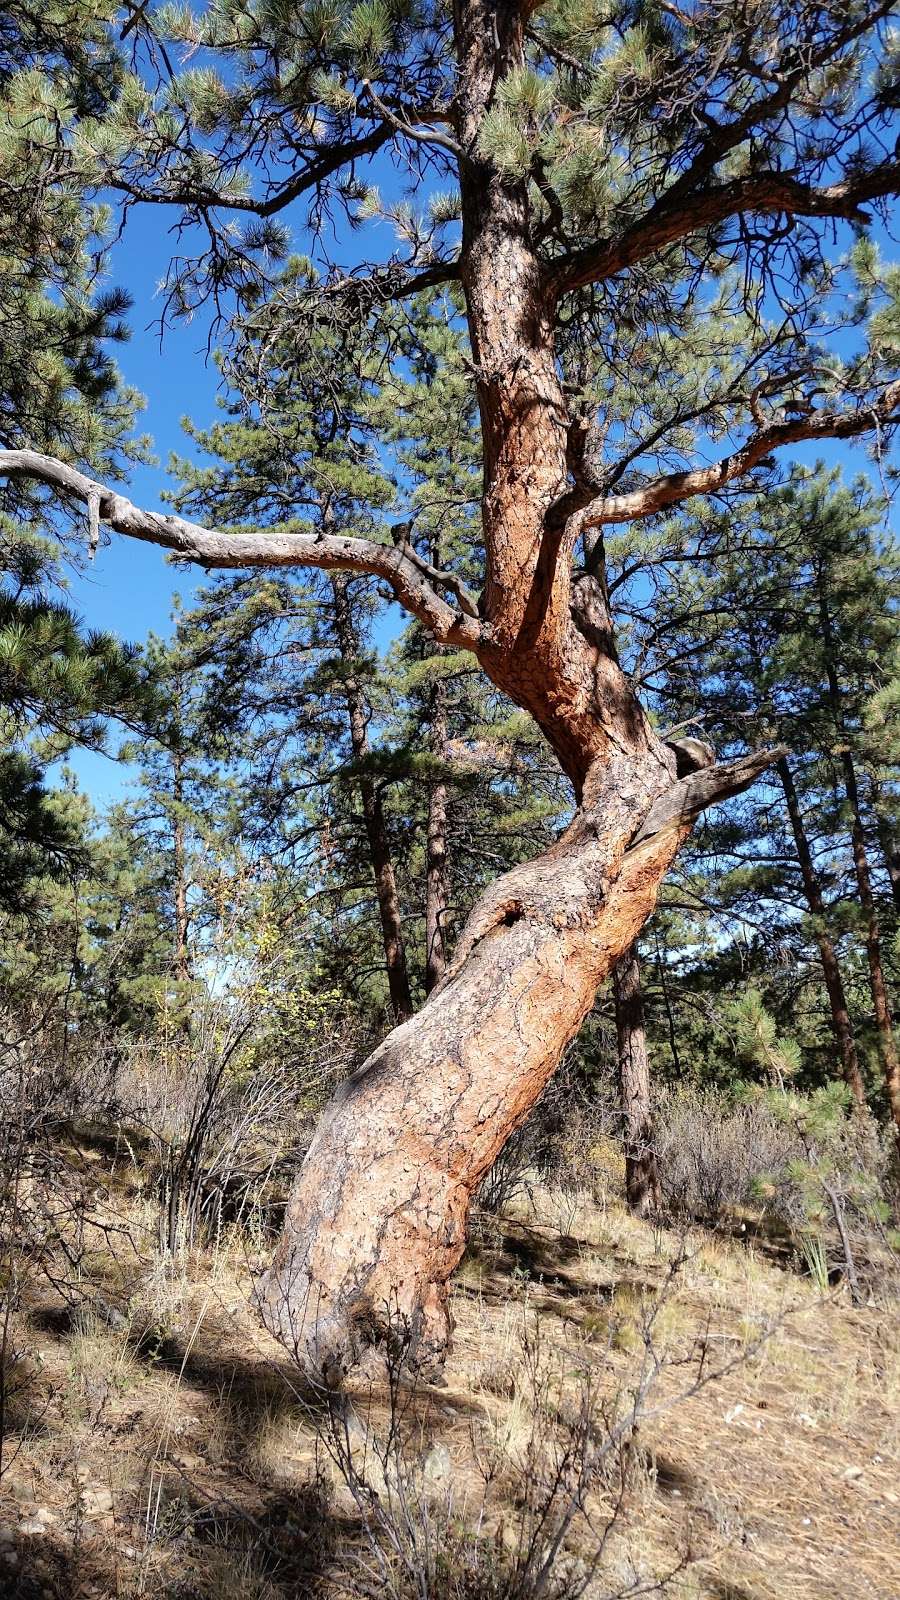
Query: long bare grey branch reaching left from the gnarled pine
214,550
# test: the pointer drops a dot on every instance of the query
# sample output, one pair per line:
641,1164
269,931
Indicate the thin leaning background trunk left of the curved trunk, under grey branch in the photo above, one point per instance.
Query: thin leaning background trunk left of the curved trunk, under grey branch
374,812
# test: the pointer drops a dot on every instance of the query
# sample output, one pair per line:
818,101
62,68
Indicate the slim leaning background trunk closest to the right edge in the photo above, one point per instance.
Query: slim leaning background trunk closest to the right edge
882,1007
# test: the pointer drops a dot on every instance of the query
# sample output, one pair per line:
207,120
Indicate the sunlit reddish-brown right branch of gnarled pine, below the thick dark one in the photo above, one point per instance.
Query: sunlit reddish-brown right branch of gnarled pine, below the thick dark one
673,487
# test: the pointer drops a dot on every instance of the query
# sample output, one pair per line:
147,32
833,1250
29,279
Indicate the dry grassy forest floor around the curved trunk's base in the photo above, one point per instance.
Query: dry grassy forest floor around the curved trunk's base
158,1444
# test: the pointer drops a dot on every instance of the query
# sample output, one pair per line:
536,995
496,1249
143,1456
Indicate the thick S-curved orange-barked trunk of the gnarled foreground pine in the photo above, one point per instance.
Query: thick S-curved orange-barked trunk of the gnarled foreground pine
377,1220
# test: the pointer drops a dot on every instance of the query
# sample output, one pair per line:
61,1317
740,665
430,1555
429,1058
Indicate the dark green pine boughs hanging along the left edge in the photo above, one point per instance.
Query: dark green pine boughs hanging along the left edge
60,393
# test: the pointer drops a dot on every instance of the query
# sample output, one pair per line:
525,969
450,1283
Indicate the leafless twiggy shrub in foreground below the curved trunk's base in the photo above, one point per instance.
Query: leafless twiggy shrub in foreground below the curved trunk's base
531,1514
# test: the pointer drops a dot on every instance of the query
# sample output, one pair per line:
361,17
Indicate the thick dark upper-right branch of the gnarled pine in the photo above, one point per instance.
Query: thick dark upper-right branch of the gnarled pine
717,204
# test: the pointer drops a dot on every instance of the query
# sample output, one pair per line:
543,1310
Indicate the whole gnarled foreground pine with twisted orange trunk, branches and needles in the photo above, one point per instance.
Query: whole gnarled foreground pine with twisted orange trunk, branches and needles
638,255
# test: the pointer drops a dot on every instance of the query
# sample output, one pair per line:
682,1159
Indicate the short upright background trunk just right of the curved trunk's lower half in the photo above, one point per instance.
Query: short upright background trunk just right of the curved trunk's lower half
641,1169
